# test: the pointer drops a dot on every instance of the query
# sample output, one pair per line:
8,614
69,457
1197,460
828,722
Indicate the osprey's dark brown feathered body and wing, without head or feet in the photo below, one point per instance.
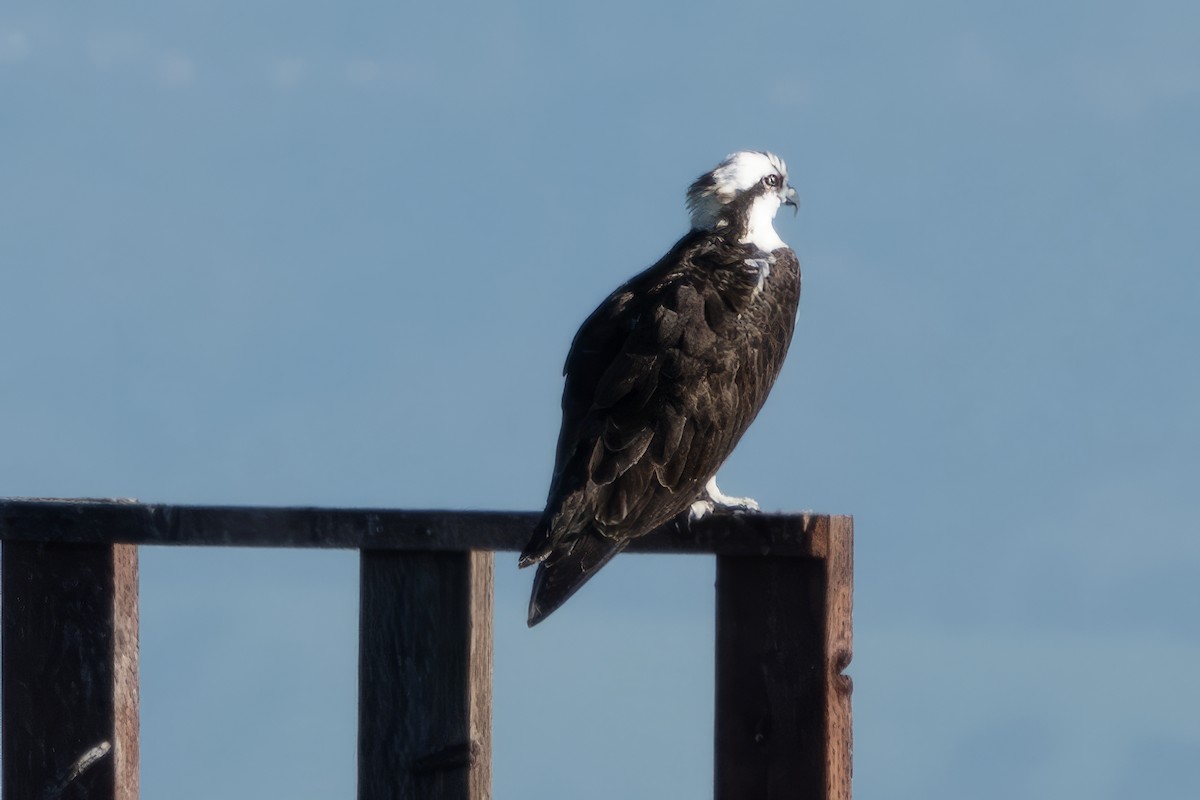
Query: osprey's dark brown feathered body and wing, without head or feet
662,382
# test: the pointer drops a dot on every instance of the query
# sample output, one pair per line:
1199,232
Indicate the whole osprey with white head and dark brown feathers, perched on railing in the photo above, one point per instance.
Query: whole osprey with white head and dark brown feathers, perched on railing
665,377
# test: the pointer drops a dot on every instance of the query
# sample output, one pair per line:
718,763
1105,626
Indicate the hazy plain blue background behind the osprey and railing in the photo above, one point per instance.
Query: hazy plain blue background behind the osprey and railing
334,254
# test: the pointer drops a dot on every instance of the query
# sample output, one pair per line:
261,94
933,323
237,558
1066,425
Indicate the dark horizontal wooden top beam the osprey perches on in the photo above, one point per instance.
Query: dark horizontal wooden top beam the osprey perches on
109,522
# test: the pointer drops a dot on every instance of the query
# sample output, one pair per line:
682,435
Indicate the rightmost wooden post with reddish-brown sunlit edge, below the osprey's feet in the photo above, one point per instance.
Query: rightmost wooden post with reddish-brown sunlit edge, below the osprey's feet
783,640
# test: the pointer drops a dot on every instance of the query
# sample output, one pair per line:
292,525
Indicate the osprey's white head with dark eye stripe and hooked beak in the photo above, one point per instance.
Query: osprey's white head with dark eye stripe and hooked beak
743,193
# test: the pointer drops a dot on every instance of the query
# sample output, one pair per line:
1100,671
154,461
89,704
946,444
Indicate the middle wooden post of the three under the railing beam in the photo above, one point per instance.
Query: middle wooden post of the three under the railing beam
425,676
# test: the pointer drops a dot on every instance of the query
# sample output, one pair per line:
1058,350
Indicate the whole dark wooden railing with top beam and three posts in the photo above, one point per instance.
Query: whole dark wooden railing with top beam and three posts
70,639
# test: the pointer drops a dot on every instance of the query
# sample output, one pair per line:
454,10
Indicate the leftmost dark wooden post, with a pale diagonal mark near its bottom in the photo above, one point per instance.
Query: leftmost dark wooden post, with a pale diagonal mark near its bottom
70,699
